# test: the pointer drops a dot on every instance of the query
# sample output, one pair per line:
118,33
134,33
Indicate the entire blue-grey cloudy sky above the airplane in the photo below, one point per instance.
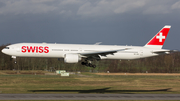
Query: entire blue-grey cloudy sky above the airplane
112,22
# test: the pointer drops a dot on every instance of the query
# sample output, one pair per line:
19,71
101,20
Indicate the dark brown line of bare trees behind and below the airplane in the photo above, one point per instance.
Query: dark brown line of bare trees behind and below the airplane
160,64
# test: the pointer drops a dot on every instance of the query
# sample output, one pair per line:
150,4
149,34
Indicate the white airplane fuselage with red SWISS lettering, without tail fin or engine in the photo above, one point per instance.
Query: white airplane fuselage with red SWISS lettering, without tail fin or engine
59,50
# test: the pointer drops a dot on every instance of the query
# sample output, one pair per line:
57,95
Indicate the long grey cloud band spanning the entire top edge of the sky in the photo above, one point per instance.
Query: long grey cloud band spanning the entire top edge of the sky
87,8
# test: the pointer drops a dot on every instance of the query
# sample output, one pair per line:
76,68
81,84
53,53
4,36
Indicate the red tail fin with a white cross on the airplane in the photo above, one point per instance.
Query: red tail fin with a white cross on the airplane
158,40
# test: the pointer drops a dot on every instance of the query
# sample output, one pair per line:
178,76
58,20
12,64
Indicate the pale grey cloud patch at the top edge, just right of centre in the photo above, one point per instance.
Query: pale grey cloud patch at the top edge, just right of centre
108,7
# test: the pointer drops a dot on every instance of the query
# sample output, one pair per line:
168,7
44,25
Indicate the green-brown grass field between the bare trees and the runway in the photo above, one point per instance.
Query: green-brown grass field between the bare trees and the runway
28,82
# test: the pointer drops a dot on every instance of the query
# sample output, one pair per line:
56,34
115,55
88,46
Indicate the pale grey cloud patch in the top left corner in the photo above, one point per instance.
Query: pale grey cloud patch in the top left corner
26,6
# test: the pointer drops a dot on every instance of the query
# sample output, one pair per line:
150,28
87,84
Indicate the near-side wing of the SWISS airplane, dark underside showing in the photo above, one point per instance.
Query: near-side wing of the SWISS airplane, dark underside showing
102,53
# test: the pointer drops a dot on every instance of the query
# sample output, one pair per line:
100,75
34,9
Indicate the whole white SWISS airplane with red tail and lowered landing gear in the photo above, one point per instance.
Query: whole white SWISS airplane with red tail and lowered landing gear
73,53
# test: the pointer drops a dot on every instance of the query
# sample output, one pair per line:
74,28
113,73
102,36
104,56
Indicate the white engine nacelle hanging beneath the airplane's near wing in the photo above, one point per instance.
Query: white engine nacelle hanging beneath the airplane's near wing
71,58
